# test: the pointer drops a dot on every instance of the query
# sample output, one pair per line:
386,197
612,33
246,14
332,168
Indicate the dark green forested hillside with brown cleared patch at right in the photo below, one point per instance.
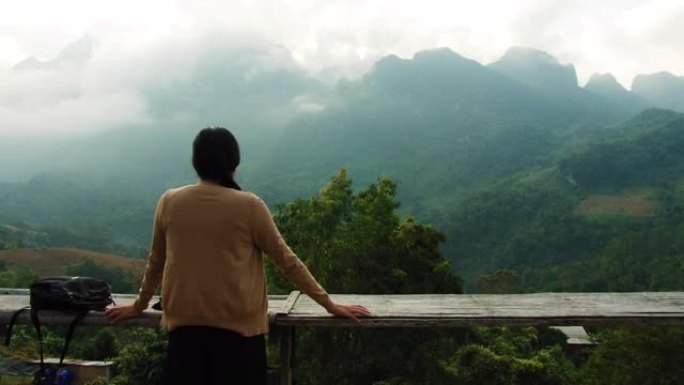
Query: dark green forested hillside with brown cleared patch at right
568,226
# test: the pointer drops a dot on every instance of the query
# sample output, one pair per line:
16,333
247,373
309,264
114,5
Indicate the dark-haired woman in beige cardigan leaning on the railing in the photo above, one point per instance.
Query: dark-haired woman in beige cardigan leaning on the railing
207,254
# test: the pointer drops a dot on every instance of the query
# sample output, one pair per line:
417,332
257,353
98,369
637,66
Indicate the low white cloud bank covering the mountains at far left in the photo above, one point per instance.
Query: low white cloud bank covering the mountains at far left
61,98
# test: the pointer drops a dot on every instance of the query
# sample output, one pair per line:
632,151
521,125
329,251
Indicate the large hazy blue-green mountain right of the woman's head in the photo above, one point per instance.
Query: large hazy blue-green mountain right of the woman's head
439,120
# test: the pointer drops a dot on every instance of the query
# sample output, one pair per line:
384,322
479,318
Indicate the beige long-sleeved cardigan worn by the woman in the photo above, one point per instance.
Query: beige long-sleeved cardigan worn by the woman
207,254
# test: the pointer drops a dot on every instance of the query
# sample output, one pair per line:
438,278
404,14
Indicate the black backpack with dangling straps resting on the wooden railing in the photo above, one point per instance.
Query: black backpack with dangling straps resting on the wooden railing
76,295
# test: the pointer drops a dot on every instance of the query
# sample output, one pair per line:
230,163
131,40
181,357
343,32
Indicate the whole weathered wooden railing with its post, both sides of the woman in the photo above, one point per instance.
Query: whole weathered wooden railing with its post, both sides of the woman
286,312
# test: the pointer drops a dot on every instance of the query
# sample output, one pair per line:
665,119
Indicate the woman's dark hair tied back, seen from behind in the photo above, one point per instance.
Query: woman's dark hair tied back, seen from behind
215,155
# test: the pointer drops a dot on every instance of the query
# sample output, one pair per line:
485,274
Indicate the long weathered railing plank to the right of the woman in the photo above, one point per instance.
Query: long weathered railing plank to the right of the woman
425,310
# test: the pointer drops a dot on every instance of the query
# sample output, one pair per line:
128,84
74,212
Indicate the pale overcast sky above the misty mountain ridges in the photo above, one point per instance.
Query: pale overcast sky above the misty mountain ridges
623,37
